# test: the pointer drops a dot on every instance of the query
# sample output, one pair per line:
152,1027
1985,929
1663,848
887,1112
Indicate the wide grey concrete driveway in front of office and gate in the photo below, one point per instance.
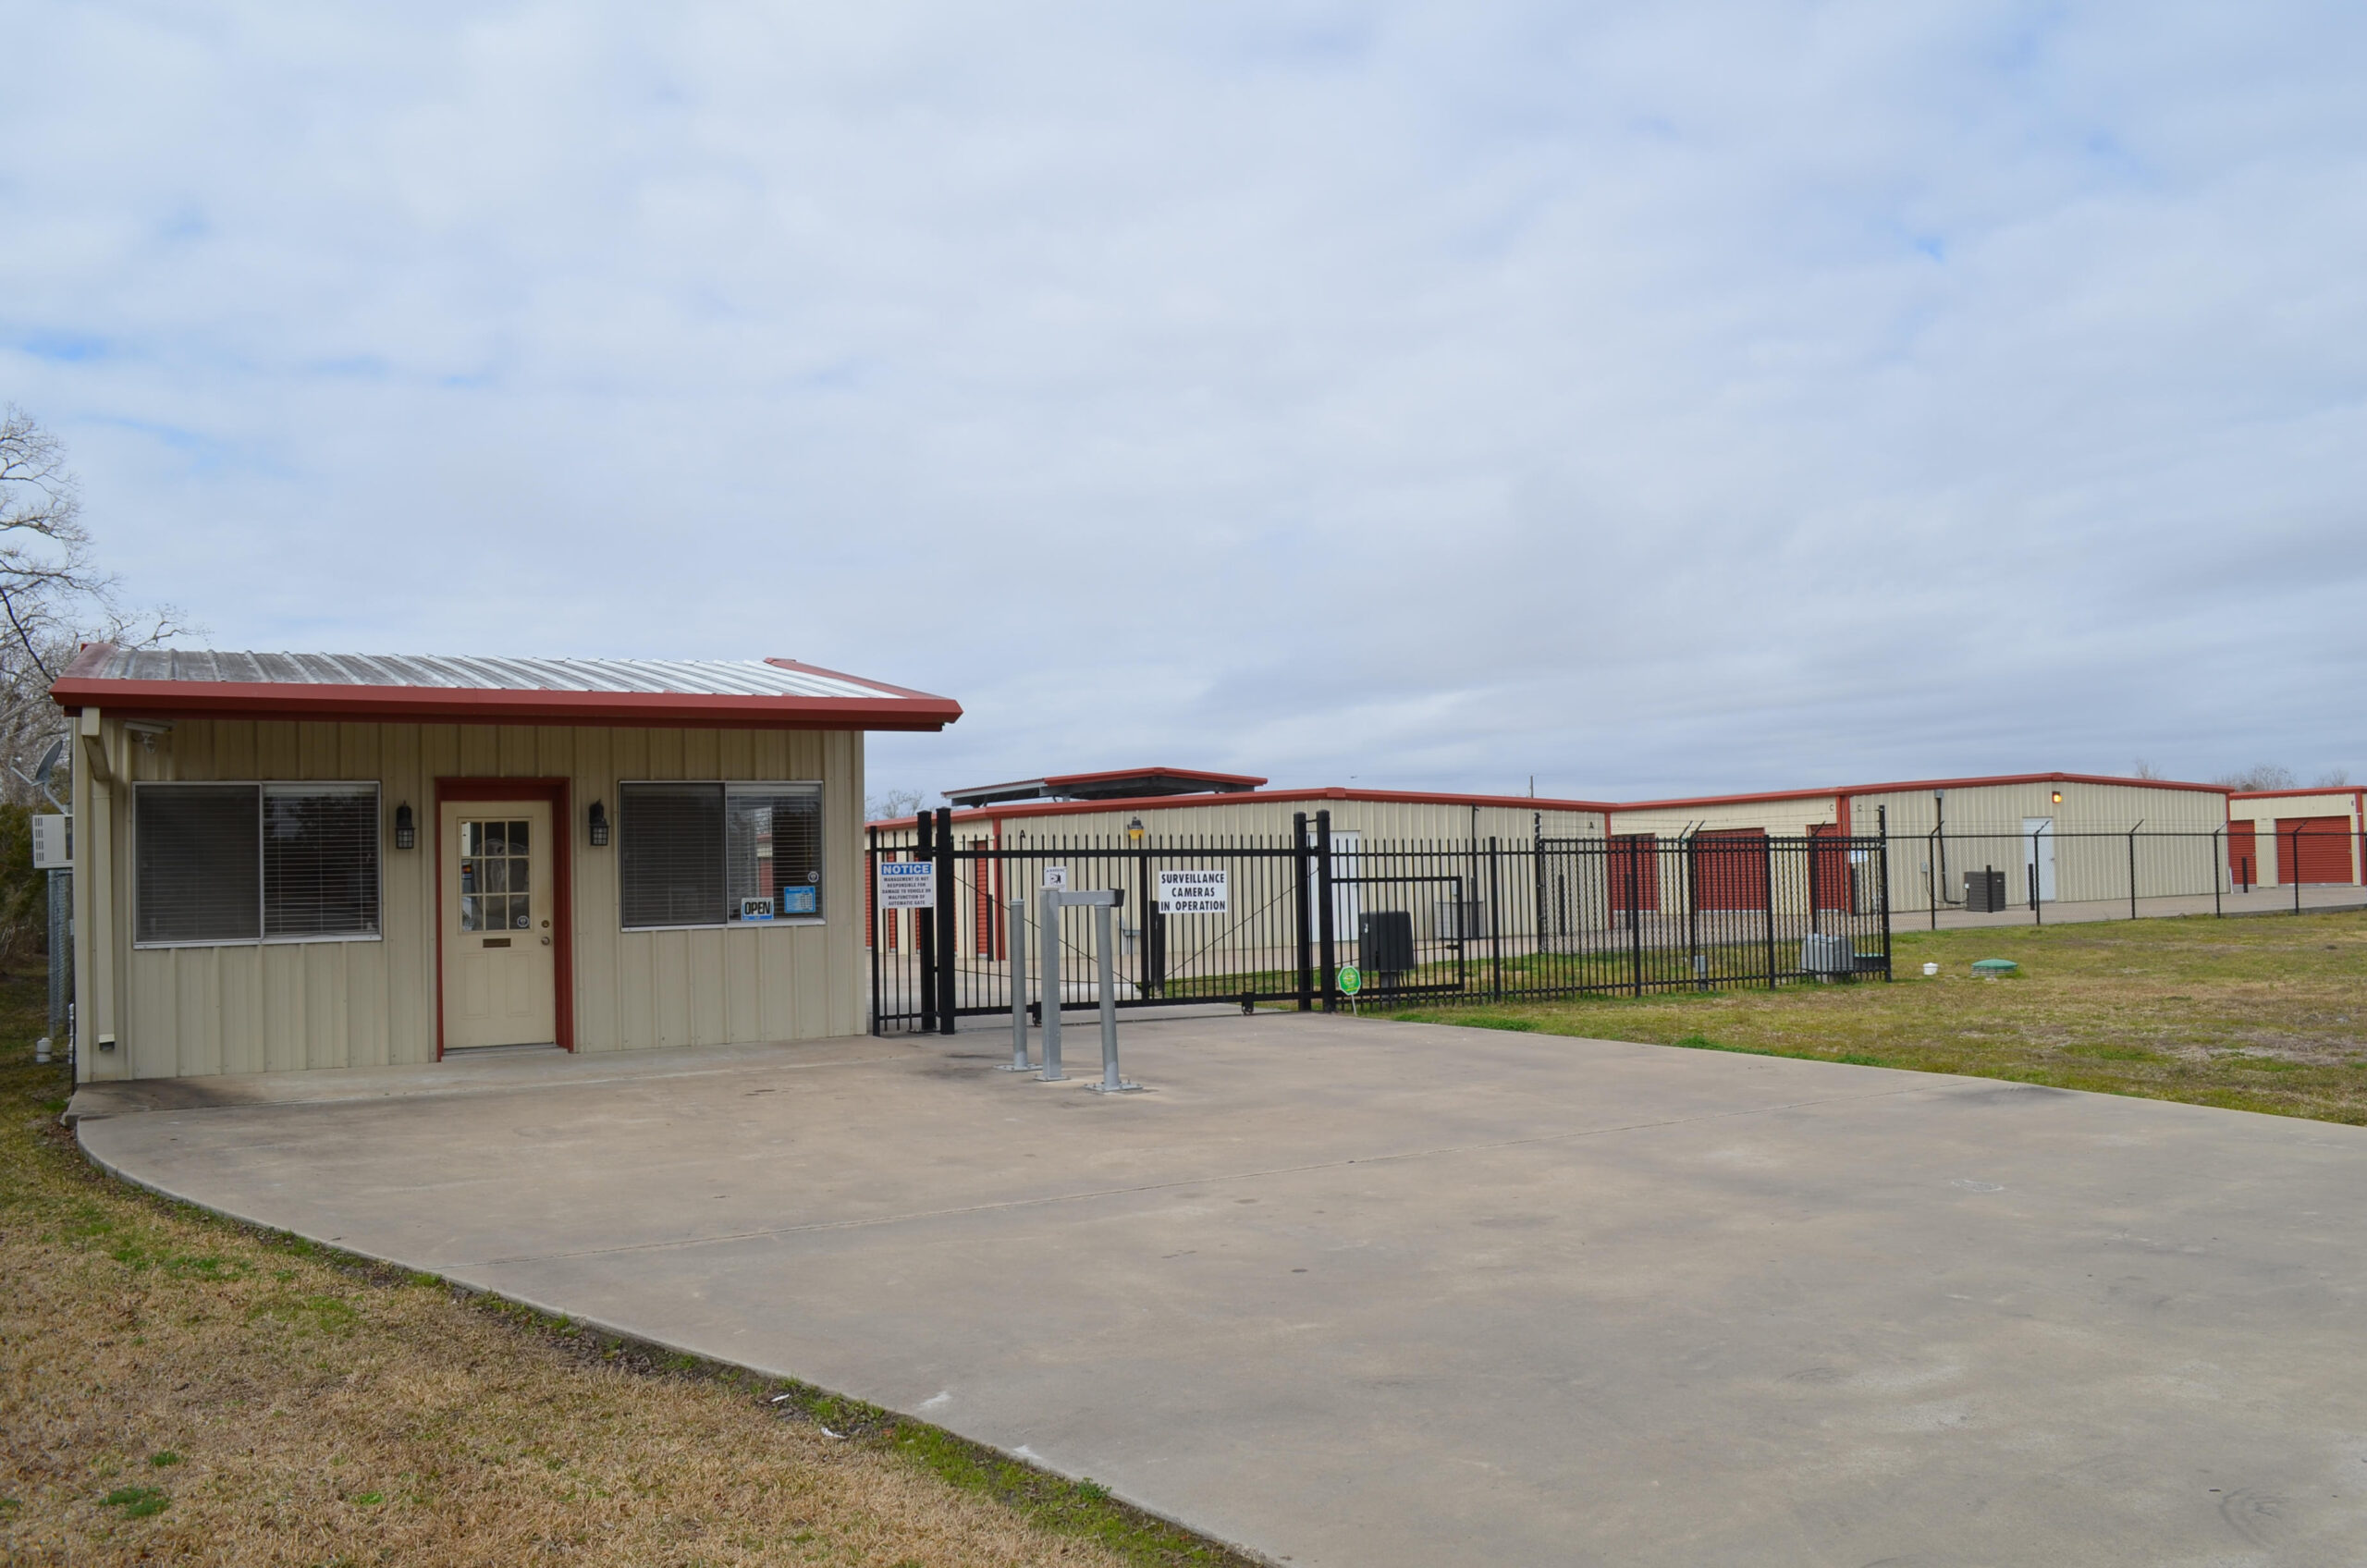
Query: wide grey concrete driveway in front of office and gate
1379,1294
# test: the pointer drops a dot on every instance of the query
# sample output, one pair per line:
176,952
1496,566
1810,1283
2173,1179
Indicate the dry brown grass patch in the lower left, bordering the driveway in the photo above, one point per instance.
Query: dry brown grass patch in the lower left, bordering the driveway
179,1389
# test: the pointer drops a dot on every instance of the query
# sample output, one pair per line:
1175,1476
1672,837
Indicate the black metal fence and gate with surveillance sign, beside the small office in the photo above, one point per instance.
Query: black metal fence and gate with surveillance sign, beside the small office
1246,923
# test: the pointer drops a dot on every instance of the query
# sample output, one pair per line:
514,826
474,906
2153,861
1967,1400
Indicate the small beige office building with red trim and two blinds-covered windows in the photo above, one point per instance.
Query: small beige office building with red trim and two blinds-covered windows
304,861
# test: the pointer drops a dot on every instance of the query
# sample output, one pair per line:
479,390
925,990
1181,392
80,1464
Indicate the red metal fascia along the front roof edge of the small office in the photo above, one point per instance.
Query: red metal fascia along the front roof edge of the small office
501,707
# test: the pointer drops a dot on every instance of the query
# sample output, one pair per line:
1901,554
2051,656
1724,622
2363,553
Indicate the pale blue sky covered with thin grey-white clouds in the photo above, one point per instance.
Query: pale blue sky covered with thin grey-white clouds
1644,399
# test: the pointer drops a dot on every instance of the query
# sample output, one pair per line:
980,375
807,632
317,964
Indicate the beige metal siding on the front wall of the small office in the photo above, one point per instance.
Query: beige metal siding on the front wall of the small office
368,1003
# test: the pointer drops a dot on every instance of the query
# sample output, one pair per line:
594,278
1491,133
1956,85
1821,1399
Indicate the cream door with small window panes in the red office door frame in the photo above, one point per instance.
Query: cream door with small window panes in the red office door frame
501,972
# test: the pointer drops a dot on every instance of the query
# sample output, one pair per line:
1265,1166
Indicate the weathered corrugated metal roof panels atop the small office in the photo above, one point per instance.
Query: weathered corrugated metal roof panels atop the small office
472,674
